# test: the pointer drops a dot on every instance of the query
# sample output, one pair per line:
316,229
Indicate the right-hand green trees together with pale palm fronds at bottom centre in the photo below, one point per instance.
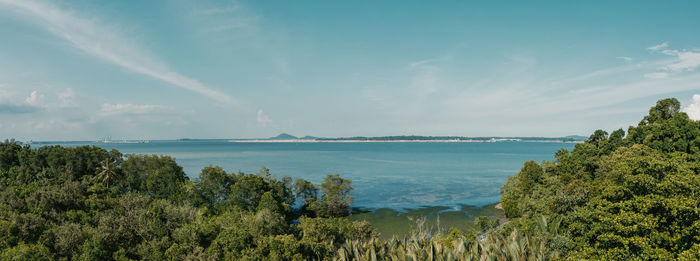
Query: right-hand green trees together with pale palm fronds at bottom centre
614,197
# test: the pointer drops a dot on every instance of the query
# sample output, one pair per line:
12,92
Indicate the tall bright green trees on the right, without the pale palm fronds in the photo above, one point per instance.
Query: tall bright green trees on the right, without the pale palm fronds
619,197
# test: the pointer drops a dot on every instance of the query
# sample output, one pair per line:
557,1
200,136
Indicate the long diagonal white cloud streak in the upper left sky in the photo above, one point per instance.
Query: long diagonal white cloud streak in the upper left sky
106,44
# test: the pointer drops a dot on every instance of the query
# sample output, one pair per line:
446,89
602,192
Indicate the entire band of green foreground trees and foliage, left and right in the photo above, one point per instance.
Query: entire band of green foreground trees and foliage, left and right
631,195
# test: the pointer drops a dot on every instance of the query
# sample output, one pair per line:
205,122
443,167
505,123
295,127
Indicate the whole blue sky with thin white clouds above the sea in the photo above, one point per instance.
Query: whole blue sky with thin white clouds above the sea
88,69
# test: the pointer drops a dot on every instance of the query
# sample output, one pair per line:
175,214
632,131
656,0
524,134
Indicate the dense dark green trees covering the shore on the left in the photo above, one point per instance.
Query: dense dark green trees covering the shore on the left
86,203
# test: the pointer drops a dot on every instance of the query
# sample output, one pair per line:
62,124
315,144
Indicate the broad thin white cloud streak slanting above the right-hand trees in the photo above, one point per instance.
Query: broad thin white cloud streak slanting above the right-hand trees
588,91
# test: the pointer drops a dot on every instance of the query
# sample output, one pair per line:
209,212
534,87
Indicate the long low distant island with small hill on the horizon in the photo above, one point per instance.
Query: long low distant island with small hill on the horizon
284,137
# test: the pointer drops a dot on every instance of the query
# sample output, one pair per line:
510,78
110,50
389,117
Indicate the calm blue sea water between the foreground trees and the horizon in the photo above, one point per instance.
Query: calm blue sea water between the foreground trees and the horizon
392,175
